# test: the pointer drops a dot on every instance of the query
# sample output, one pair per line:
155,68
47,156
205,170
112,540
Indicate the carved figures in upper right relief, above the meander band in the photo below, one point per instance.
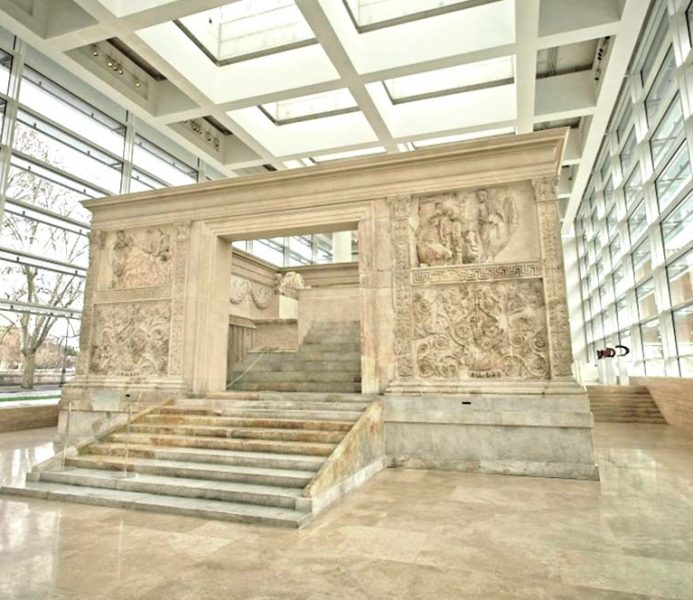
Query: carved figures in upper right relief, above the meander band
465,227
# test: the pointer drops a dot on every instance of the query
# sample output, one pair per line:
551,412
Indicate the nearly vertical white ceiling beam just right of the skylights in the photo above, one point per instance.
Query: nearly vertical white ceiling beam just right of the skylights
526,33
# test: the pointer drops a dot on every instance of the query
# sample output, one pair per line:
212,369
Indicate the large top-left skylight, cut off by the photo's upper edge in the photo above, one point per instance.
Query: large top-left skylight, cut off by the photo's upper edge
247,28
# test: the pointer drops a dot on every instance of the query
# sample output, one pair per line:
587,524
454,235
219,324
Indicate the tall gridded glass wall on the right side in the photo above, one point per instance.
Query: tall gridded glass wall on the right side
634,226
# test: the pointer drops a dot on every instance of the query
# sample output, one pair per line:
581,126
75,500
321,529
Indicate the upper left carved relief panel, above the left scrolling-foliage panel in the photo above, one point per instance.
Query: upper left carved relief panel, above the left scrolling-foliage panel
138,258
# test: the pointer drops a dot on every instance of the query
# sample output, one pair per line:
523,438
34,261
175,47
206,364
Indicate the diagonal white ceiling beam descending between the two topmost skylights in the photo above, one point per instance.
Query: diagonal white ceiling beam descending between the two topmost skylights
324,32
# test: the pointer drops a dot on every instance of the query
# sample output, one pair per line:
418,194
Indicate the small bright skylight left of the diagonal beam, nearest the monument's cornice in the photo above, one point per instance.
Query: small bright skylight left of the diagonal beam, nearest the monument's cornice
310,107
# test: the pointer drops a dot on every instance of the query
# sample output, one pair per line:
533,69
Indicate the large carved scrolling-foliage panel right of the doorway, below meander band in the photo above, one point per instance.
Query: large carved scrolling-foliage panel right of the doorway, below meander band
495,329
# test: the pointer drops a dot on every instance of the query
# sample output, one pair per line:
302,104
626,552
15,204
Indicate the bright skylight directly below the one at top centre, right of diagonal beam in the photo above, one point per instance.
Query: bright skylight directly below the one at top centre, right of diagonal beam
485,73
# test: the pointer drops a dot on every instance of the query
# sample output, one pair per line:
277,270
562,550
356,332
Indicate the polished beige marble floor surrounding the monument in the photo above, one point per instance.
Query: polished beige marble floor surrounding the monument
403,535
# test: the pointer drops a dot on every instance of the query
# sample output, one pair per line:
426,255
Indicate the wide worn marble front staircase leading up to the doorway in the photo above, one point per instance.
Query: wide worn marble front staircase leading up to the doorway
237,456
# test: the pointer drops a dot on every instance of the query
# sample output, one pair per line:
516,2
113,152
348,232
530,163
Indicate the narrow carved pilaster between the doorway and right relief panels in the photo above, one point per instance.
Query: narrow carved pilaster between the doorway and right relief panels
399,219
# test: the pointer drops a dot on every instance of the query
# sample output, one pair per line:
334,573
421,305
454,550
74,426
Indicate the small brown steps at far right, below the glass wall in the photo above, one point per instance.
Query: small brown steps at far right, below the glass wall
623,404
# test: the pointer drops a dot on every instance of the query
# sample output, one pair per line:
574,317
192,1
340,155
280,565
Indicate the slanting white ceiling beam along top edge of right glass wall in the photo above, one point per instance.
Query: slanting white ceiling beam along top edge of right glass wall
622,47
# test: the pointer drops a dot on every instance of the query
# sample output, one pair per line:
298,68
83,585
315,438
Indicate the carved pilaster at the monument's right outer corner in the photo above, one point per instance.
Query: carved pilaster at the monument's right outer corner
554,276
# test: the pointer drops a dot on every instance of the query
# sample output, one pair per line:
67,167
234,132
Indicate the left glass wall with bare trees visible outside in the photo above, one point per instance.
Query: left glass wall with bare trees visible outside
57,149
